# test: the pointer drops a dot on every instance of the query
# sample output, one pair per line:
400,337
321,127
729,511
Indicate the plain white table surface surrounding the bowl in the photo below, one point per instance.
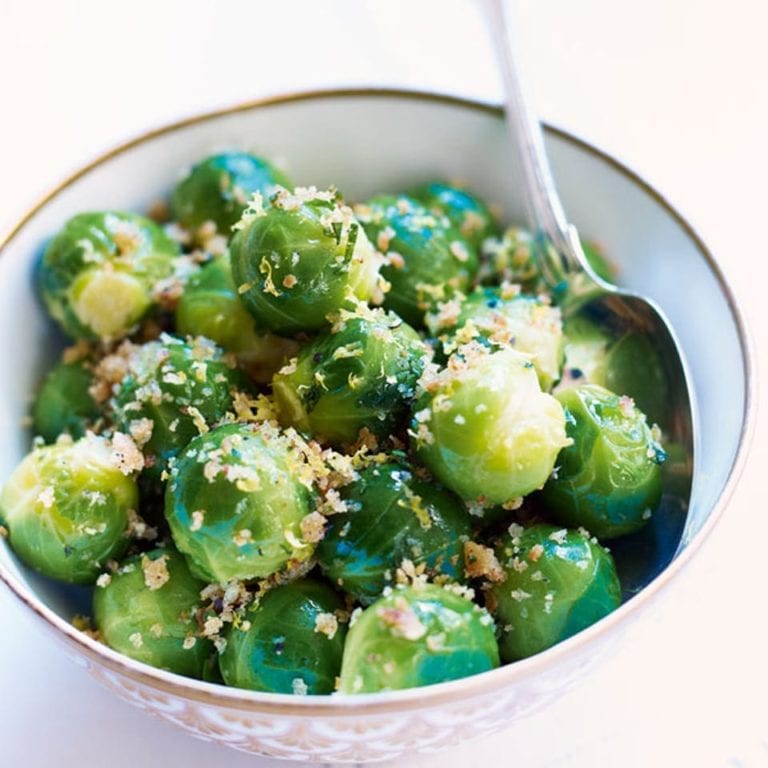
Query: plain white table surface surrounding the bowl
676,88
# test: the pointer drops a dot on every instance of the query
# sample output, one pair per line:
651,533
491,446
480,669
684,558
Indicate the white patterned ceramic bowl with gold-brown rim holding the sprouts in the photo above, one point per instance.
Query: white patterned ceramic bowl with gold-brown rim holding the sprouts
368,141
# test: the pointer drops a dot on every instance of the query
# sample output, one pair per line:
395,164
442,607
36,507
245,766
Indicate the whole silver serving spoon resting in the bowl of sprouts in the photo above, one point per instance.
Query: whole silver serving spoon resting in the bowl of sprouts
567,272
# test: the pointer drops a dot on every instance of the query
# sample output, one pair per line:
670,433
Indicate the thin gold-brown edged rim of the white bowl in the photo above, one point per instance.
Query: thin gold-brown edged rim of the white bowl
457,690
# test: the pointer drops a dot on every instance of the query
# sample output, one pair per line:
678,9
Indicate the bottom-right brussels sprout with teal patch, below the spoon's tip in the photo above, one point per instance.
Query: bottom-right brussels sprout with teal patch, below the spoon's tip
556,583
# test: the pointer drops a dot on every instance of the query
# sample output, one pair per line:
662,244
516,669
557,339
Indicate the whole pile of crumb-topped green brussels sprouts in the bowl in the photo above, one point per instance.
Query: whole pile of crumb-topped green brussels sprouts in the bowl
303,447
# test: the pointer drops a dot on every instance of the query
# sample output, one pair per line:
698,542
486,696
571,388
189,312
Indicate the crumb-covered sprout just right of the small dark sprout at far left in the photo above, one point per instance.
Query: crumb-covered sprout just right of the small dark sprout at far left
173,390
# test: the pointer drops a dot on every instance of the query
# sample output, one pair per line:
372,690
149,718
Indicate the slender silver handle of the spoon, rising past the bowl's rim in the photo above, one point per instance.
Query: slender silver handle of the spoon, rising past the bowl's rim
545,211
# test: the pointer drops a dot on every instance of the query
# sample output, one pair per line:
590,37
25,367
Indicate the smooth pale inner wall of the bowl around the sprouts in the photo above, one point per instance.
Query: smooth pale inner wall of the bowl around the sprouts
365,143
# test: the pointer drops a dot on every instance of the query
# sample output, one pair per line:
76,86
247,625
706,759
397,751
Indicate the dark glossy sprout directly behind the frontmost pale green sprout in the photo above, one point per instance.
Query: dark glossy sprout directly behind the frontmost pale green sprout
393,517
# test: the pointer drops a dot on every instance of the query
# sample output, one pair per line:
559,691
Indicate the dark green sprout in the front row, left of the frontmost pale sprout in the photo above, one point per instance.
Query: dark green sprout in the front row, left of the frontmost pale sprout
291,641
